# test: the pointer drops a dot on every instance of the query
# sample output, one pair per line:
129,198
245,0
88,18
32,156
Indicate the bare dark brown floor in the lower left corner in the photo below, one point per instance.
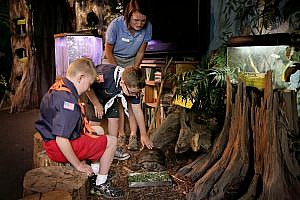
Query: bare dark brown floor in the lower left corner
16,151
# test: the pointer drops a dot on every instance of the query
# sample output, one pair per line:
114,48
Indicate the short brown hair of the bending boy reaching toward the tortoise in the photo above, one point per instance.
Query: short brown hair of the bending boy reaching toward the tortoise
134,77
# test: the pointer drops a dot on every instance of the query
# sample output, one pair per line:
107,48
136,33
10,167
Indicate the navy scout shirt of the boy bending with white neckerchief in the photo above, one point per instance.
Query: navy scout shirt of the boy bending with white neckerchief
108,89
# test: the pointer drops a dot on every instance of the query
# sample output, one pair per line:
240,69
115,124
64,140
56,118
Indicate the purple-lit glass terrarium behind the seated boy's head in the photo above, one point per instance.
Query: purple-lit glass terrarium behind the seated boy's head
70,46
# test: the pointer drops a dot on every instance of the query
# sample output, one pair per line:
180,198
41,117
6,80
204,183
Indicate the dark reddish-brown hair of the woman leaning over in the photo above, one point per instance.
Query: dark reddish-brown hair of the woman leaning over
140,6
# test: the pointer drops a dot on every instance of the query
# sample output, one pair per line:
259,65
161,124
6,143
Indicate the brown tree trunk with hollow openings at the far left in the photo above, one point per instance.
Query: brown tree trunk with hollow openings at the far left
23,80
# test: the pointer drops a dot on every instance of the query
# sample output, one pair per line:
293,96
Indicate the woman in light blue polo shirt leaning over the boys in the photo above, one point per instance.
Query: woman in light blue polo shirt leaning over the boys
126,40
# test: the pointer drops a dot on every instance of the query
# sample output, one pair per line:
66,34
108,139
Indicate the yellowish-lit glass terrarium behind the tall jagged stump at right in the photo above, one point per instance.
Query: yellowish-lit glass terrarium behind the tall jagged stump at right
250,57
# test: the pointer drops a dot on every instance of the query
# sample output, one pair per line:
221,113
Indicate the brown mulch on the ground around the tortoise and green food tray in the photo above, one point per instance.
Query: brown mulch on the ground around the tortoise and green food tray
176,191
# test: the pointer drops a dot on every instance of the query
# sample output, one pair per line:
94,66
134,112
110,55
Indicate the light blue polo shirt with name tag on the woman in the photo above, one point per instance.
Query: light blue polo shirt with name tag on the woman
126,45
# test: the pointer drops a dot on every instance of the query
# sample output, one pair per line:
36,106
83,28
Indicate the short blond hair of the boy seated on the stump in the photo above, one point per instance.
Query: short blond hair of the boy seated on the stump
84,65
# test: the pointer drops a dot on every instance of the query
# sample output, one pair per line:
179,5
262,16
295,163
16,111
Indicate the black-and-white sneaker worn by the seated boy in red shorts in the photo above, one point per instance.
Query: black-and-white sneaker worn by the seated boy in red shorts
106,190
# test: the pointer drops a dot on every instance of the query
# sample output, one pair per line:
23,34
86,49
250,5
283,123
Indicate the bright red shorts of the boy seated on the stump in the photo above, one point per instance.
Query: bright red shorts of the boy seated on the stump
85,148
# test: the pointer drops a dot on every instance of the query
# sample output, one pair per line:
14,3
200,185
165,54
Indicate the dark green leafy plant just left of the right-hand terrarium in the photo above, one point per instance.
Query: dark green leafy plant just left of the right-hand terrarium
205,86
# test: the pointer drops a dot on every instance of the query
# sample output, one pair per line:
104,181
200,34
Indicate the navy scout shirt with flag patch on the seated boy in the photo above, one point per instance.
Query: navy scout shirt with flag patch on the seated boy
60,114
